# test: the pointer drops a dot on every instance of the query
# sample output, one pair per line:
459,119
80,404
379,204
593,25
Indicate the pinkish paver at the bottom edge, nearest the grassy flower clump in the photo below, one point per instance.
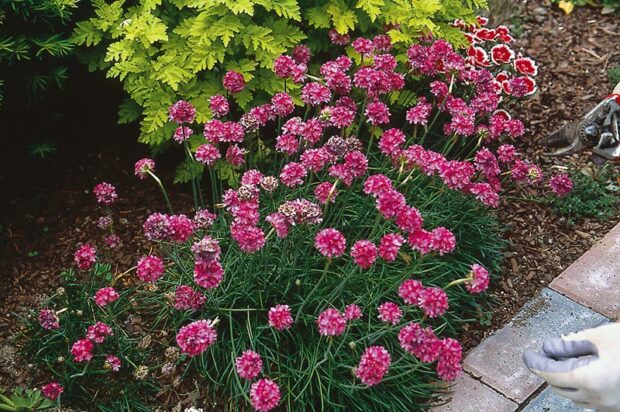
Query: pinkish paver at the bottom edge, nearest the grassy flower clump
469,394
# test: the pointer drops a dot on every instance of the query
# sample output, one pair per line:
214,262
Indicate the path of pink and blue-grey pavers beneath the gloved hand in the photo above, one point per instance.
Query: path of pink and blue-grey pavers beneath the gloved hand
585,295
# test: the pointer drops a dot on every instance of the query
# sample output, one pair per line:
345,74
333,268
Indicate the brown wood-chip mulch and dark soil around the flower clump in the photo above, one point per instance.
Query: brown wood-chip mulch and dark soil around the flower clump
46,210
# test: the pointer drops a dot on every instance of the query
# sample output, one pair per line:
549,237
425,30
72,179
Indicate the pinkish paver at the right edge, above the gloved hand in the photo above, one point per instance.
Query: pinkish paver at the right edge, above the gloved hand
594,279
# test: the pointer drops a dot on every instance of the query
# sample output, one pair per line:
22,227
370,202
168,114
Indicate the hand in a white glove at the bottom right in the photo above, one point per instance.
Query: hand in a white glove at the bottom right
583,367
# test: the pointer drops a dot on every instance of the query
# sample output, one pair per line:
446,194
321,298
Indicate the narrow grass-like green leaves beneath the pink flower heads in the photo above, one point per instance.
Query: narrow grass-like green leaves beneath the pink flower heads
311,370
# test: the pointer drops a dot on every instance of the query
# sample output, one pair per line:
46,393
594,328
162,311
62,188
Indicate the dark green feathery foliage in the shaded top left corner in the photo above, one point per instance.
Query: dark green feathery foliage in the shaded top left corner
34,41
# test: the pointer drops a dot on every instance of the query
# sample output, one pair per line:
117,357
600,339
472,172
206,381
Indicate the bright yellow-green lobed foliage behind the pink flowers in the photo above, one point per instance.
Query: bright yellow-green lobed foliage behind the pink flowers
166,50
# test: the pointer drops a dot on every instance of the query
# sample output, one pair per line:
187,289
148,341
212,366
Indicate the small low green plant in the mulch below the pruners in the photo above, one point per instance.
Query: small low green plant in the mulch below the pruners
592,196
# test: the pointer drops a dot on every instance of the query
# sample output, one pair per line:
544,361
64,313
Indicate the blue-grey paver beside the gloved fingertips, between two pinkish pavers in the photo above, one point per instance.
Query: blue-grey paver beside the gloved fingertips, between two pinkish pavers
497,360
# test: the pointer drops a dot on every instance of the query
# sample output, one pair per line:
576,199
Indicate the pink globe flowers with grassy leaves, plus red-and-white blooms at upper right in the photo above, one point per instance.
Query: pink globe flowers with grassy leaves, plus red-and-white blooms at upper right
372,130
